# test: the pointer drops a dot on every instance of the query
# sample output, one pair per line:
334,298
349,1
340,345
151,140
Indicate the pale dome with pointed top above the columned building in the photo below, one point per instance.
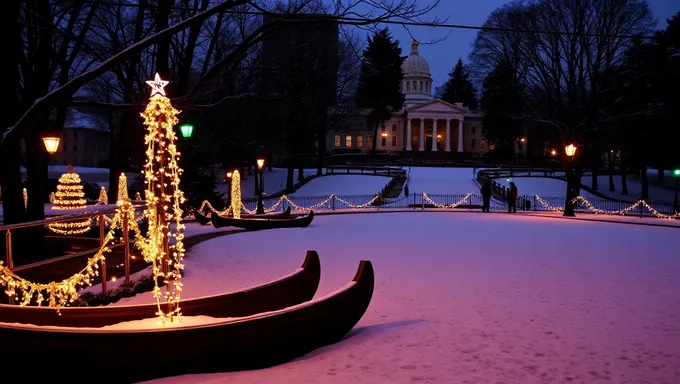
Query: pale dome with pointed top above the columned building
417,84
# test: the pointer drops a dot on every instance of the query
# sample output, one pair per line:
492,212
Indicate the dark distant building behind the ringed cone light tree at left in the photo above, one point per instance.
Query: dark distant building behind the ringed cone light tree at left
83,143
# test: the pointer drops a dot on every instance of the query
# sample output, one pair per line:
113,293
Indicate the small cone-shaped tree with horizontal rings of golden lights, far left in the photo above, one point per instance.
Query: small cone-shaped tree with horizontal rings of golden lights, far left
70,195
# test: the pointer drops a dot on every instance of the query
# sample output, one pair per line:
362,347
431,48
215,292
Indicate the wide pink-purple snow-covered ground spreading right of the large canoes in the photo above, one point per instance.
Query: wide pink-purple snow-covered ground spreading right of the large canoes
470,298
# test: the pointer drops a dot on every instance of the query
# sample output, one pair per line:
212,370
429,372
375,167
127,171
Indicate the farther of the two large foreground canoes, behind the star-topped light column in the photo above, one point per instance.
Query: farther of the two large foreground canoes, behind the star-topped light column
298,287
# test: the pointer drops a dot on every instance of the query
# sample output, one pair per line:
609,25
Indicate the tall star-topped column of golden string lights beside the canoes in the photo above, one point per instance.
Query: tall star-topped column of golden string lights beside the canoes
163,198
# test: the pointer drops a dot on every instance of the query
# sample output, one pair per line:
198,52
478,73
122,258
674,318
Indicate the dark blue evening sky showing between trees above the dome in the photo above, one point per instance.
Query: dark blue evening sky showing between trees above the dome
443,55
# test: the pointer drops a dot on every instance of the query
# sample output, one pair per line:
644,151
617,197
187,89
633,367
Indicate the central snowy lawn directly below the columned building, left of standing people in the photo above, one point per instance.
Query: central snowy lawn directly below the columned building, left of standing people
433,180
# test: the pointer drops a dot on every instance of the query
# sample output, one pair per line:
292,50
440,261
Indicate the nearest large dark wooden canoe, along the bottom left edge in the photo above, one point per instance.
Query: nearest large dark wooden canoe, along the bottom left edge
253,342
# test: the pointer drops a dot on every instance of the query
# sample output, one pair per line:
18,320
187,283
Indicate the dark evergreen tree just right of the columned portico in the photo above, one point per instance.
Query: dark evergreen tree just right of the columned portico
502,105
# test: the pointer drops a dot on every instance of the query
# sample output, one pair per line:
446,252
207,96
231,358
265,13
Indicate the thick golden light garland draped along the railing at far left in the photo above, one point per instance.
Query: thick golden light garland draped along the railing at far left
59,294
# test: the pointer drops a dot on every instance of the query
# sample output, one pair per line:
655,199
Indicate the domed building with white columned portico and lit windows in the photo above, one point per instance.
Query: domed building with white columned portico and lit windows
423,124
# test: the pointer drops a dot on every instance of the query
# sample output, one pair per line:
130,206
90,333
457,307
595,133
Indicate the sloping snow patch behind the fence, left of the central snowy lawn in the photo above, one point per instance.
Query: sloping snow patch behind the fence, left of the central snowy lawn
343,185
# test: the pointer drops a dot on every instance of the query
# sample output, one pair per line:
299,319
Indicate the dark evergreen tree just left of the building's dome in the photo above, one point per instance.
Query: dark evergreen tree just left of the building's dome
379,87
